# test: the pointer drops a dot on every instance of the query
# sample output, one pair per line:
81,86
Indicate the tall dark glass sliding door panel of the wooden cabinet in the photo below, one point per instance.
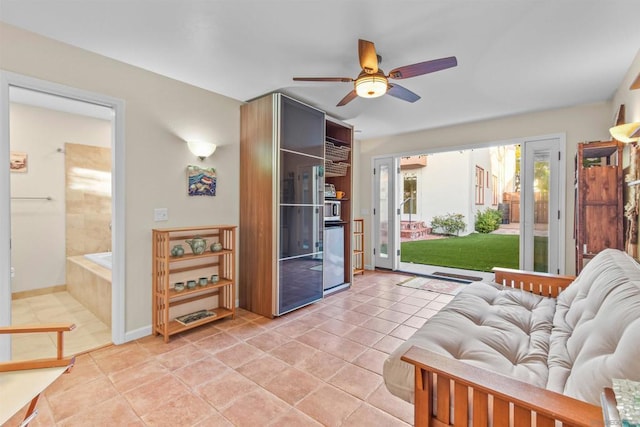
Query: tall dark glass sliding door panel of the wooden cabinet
301,166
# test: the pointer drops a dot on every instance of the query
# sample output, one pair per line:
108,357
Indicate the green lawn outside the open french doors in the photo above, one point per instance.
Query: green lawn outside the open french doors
480,252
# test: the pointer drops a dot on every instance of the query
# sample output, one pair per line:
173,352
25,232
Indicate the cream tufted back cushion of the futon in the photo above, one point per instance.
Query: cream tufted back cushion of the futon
596,334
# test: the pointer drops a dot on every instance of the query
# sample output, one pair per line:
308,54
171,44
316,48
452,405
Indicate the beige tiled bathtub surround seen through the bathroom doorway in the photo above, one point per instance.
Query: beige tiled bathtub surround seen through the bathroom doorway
89,282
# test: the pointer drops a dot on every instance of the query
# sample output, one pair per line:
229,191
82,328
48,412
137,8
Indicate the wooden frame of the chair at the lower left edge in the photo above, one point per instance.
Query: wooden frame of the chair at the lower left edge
59,360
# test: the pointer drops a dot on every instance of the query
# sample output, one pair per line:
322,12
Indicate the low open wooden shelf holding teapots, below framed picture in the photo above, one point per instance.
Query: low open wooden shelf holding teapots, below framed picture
218,297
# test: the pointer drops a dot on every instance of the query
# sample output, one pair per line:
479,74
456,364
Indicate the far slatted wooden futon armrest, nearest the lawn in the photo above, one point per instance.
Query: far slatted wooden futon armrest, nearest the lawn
545,284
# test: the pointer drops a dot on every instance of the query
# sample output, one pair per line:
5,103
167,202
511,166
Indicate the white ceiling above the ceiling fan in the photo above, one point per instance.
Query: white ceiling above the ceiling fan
514,56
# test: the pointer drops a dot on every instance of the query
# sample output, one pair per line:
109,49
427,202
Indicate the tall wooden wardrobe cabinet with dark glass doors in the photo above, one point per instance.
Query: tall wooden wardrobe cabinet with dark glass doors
288,152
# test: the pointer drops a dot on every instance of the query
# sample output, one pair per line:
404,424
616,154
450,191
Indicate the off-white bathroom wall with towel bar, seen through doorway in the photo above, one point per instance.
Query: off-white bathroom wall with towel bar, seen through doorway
38,226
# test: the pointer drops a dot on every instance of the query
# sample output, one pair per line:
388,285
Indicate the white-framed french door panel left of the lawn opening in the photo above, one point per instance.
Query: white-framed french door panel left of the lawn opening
386,237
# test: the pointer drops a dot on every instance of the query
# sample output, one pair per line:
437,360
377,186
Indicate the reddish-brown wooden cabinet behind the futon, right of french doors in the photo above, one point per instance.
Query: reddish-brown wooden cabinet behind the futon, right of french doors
599,215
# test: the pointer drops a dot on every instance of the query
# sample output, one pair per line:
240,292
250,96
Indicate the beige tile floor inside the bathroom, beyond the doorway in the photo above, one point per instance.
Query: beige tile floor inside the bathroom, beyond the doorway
90,332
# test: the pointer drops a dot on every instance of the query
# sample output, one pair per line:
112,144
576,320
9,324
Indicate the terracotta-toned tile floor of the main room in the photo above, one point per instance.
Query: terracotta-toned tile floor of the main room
320,365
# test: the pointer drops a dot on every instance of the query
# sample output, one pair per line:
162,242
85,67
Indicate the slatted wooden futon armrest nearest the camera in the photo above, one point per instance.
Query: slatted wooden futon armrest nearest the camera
450,392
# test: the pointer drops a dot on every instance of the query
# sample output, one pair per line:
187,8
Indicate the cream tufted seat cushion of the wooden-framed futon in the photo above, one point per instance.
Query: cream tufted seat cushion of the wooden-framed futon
499,329
